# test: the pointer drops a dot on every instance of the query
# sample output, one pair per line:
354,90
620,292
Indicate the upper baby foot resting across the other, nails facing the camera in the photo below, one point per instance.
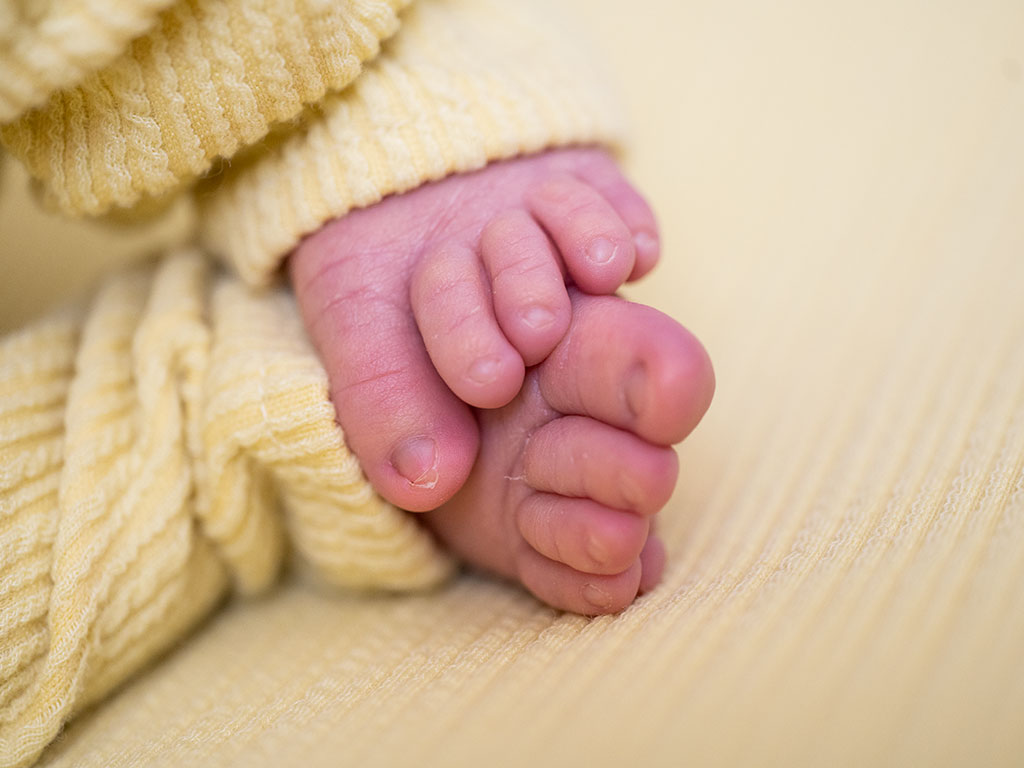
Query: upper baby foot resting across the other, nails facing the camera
437,301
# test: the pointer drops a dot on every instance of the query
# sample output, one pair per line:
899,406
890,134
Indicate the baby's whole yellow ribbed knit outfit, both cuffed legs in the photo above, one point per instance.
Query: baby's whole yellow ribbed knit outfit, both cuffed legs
172,441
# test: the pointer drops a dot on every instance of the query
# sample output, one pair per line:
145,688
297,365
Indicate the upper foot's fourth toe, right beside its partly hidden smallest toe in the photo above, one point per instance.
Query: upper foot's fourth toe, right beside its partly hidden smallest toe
594,242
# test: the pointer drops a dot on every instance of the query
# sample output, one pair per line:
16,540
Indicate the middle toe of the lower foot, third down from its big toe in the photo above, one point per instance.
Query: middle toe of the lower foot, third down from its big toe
586,536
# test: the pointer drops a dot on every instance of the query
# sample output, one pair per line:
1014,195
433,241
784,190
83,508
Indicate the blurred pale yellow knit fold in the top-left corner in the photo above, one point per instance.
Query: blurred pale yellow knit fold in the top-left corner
52,45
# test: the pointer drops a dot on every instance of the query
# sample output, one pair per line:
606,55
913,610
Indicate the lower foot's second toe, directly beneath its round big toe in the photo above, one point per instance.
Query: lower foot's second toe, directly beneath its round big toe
579,457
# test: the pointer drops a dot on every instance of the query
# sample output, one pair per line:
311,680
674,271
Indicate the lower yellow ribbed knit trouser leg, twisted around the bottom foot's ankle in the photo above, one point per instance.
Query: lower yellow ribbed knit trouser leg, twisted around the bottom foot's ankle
154,459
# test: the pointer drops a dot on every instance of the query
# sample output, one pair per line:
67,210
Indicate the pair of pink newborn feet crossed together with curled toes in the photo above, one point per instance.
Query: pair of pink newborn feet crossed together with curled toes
430,308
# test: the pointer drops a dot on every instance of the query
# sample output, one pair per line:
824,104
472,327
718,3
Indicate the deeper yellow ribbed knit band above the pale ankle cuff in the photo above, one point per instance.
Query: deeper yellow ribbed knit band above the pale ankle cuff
212,77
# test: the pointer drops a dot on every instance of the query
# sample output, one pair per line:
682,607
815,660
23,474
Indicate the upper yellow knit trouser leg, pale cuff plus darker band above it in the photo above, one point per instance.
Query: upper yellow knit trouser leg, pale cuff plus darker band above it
289,113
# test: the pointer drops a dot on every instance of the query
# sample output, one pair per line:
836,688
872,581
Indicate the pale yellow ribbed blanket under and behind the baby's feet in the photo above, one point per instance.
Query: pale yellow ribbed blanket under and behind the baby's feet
841,188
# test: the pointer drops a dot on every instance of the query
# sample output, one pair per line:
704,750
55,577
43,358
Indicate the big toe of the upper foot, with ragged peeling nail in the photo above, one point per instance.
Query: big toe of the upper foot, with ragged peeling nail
414,439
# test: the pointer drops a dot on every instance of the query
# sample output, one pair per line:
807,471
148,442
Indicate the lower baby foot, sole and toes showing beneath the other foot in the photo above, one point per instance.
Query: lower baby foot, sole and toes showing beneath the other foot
571,474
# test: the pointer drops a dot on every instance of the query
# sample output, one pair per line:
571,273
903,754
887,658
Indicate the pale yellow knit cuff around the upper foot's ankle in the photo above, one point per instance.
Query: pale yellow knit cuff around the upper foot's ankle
464,83
